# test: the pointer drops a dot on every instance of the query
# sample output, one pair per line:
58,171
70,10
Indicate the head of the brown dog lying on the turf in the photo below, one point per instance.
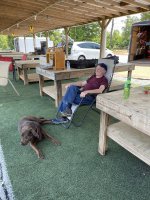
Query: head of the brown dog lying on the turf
28,134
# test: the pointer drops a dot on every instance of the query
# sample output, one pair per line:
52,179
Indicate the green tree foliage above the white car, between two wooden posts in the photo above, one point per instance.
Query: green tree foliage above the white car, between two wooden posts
88,32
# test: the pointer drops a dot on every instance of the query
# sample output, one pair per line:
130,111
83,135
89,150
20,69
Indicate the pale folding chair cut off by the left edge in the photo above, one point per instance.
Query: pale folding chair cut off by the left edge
4,72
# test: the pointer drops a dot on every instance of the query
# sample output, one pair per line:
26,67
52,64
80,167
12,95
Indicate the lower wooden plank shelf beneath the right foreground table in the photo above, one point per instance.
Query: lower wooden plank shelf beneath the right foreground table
131,139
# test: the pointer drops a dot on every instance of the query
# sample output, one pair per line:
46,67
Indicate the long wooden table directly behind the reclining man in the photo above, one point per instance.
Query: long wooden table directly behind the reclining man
57,89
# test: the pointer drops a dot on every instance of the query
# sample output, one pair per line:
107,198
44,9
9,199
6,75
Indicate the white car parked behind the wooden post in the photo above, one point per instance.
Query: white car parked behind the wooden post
86,50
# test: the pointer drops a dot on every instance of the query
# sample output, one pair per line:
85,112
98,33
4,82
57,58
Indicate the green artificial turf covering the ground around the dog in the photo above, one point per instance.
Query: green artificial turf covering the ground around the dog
73,171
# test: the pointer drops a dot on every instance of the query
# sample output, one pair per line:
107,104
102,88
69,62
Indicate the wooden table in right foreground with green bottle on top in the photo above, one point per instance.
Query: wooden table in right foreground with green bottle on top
133,130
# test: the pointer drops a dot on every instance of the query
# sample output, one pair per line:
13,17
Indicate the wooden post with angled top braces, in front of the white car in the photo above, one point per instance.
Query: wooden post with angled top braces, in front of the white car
103,24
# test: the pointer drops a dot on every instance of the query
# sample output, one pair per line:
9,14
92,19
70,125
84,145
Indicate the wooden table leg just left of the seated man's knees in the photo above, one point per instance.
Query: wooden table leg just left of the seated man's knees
58,88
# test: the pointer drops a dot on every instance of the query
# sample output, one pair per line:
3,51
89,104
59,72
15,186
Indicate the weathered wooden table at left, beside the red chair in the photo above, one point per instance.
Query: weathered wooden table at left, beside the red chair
23,67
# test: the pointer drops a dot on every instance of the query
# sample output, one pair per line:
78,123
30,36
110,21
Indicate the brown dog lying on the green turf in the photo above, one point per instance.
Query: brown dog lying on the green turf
32,132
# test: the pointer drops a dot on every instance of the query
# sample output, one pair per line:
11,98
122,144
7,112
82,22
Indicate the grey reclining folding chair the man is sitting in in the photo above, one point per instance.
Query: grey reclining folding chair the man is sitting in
109,75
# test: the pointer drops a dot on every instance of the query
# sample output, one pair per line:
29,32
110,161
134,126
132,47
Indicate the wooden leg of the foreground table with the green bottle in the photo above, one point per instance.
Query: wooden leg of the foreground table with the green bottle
103,132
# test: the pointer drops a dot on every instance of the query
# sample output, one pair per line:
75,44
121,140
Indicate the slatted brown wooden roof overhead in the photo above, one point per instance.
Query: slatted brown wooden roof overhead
18,16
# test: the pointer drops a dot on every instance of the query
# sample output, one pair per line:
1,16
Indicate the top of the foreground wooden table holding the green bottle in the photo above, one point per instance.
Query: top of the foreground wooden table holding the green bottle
135,111
